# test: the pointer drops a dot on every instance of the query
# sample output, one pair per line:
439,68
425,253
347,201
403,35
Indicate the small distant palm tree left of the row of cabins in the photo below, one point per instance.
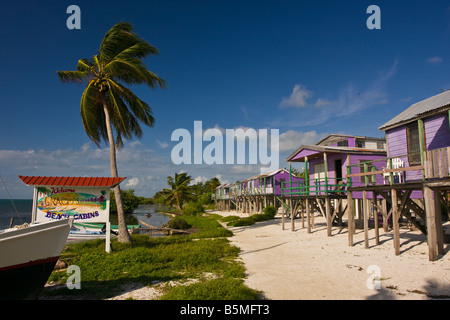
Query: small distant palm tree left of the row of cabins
179,191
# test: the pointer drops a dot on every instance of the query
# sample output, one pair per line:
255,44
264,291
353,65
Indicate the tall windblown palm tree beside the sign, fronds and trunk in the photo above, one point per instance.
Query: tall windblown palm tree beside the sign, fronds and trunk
106,105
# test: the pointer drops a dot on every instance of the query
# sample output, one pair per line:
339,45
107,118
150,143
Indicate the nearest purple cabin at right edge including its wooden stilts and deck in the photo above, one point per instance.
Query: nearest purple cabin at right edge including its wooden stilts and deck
414,178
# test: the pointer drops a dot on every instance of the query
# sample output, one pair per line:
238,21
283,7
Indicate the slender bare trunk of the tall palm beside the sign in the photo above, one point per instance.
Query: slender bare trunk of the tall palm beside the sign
124,236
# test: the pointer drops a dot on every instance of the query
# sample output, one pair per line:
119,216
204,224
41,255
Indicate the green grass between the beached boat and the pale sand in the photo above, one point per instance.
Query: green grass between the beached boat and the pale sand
149,259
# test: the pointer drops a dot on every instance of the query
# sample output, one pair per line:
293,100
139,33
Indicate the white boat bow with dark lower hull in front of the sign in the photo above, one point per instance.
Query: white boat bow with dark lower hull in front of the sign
28,256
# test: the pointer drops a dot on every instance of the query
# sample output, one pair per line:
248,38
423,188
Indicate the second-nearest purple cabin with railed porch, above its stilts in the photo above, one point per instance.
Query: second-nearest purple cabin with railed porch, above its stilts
326,162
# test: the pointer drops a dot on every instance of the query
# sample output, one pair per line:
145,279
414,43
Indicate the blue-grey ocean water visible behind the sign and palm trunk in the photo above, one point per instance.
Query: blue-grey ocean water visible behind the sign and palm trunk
145,213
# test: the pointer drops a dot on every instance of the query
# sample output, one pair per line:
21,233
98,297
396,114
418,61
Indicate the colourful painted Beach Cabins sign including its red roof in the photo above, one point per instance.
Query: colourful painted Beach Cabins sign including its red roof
86,199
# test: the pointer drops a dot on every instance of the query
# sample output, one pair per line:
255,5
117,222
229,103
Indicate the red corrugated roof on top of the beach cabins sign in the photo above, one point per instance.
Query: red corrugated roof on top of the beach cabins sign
71,181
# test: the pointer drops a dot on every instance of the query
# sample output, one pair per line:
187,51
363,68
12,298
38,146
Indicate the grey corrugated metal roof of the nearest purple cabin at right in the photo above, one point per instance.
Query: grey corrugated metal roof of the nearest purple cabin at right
433,103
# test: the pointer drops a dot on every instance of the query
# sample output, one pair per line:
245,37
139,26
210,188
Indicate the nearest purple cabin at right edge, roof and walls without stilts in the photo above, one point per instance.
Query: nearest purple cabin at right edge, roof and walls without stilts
420,136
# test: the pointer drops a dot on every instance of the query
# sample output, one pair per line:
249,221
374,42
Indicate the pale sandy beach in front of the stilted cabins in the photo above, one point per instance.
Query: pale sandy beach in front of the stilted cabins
295,265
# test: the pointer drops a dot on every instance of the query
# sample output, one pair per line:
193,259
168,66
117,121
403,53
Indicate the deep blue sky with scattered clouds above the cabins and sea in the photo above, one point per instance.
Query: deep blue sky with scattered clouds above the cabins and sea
306,68
